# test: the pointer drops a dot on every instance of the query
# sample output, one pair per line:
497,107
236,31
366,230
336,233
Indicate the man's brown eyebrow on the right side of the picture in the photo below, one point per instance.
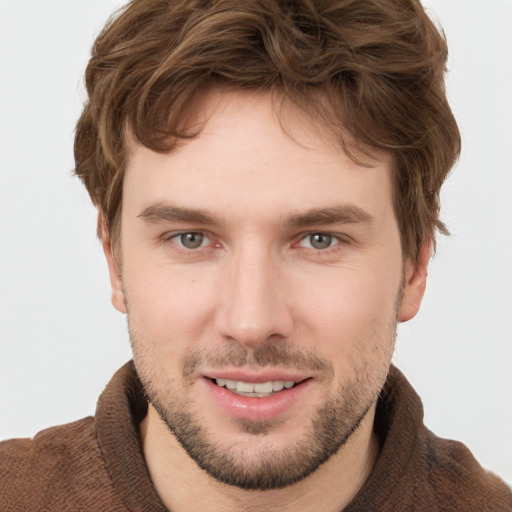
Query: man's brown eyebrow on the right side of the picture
344,214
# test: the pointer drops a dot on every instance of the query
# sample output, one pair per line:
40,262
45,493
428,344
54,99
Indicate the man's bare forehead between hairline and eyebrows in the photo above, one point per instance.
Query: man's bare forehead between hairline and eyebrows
249,152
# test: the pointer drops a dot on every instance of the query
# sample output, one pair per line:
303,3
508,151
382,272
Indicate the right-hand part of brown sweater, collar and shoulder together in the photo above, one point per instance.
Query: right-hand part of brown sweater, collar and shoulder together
419,471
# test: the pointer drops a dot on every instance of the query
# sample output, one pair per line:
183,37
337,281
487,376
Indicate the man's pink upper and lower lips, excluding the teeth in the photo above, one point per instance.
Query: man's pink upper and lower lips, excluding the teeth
253,408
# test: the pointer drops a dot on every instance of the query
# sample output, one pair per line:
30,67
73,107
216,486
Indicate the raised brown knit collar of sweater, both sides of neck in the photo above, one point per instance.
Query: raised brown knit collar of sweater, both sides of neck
399,425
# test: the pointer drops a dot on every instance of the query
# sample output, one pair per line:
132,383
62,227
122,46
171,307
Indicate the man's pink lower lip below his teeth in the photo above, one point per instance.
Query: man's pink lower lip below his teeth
254,408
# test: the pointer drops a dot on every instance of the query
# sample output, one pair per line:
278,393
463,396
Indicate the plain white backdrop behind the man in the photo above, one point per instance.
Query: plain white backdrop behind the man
60,338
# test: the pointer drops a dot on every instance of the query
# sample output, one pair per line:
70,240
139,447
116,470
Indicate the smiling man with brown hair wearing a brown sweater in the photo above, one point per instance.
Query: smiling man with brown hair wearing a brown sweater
267,179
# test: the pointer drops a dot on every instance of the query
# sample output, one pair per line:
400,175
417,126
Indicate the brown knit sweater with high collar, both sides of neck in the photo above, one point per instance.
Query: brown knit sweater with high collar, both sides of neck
96,464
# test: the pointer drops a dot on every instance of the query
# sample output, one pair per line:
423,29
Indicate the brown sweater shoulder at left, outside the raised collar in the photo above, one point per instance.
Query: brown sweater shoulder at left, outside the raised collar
60,469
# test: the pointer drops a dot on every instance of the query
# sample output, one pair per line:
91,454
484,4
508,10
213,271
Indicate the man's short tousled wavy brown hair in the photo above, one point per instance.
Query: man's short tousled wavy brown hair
378,65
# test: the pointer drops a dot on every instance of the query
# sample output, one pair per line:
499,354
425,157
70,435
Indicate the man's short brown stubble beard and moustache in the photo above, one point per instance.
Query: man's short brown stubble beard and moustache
267,467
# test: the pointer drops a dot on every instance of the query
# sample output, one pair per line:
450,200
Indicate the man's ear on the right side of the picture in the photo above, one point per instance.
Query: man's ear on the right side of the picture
415,284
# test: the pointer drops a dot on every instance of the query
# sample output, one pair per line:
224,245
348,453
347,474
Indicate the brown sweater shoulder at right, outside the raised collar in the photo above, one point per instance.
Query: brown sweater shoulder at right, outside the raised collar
459,482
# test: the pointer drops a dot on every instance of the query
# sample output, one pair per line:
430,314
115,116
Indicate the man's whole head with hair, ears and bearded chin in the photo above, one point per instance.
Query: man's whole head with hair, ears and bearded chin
267,176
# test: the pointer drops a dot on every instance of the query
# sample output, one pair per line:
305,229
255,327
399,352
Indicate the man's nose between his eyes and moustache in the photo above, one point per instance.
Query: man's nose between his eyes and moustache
254,304
